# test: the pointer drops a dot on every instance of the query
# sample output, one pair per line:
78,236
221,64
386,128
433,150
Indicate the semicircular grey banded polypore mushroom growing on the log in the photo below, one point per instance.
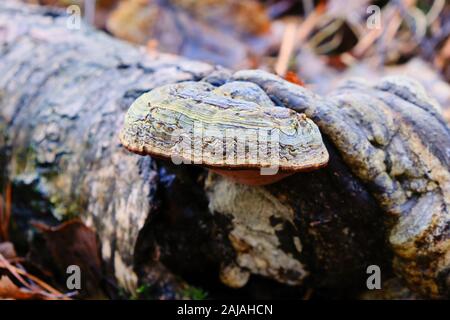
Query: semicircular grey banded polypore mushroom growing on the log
235,129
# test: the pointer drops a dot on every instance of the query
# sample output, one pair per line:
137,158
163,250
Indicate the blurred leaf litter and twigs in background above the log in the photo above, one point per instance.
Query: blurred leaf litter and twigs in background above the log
318,43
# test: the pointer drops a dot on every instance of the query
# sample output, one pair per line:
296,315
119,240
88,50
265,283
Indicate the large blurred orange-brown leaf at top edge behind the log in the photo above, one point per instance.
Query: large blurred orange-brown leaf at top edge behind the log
214,31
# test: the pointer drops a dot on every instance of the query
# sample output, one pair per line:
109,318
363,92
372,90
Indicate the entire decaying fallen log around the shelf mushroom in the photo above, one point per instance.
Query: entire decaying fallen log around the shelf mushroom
63,97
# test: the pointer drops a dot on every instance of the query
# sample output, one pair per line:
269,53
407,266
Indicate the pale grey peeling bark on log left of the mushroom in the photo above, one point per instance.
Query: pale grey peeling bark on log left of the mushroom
63,95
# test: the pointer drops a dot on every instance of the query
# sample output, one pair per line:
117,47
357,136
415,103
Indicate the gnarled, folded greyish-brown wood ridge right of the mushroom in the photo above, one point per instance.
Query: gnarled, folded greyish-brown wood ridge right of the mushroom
394,138
